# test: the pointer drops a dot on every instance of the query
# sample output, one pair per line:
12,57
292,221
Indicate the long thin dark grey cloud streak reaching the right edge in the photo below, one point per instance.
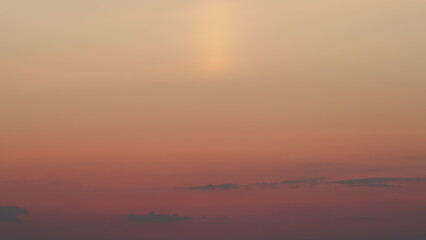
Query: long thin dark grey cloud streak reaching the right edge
377,182
